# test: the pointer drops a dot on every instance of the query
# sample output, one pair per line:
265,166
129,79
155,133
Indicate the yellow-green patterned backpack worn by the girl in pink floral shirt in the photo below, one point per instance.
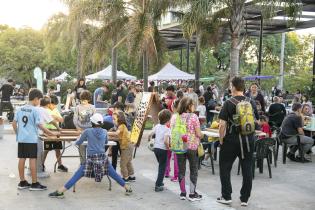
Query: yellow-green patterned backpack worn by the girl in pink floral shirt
177,132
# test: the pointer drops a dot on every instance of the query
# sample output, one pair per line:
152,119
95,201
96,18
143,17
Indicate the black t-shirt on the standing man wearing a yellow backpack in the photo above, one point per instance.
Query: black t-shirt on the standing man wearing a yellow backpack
229,109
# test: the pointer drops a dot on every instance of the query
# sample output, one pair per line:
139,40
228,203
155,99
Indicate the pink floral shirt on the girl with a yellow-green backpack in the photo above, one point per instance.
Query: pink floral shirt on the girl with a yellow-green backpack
192,124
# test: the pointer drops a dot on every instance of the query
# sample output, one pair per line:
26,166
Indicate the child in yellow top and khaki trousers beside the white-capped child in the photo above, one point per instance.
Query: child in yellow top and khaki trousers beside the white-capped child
126,147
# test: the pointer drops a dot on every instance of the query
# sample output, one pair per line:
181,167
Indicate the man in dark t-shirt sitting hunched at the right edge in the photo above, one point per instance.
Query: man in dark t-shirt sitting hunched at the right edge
292,128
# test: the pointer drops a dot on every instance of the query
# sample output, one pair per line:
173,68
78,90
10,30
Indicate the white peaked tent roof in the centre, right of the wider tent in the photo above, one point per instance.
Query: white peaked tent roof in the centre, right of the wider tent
170,72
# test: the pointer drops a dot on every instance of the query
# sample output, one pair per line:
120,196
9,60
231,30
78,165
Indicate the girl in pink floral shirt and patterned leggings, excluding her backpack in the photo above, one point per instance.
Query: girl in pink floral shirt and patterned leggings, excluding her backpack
186,110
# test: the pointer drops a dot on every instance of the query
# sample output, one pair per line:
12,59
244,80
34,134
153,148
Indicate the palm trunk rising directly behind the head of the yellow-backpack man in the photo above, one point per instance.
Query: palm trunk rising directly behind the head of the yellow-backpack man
234,56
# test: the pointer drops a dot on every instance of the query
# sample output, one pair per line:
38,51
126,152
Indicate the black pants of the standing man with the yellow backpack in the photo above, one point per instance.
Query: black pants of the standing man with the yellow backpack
230,149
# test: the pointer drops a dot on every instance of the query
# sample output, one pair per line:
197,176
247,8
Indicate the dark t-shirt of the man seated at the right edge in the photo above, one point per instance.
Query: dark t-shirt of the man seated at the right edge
290,125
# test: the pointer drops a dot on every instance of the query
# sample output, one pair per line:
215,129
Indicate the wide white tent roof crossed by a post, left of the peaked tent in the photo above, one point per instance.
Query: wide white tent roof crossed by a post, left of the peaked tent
107,74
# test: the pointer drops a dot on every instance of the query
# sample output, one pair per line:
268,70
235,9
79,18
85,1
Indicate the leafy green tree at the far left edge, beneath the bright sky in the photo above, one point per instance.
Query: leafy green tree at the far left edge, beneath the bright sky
20,52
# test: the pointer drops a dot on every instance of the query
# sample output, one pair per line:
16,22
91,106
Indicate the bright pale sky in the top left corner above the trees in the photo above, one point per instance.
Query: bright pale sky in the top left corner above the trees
30,13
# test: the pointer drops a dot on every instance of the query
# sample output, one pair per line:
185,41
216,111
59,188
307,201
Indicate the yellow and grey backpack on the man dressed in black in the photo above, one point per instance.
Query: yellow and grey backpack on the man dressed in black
244,120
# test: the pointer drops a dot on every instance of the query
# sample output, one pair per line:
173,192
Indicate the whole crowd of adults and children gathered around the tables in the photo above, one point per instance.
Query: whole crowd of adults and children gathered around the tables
183,111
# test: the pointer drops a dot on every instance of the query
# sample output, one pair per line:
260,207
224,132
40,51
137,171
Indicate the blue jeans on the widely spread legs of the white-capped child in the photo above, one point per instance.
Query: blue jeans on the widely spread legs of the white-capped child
80,173
